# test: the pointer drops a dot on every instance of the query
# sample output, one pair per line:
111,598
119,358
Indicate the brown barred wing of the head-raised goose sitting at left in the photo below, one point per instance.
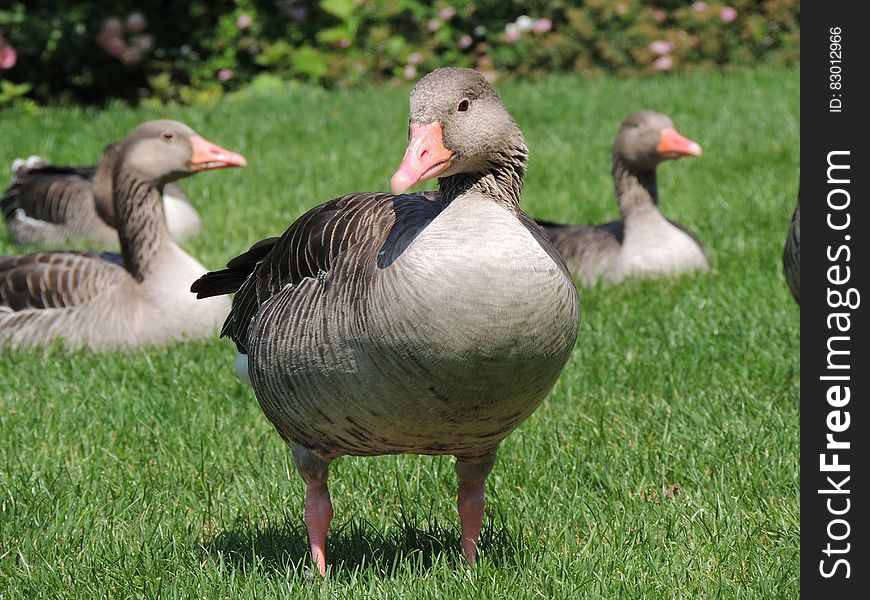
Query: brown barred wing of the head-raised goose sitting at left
54,279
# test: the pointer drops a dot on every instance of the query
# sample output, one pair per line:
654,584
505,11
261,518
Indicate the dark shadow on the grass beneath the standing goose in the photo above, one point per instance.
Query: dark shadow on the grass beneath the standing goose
358,547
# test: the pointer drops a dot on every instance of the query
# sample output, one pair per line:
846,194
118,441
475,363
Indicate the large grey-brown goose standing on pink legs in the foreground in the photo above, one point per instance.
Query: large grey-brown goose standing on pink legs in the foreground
408,323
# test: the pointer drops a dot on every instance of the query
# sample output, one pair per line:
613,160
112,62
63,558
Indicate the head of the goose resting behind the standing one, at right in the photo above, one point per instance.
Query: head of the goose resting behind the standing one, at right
647,138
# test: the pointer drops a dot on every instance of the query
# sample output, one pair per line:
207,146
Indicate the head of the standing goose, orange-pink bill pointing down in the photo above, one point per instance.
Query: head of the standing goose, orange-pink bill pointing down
457,124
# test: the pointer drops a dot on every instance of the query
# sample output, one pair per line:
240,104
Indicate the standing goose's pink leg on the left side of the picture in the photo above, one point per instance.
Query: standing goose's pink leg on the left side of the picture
318,507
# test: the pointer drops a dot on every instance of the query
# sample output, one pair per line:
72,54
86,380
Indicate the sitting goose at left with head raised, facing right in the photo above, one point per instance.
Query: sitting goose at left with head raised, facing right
105,301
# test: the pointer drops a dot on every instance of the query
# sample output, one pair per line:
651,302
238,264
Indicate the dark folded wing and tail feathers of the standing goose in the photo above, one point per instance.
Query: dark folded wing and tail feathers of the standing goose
361,222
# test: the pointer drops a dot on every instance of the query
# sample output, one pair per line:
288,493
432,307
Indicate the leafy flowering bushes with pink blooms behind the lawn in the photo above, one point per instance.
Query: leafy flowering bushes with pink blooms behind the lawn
195,51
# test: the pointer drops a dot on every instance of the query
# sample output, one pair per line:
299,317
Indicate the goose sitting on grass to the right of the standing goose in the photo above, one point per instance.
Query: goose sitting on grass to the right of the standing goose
644,243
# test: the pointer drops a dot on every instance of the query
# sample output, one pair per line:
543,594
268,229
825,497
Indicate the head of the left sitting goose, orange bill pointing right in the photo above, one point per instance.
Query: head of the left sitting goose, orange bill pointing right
161,151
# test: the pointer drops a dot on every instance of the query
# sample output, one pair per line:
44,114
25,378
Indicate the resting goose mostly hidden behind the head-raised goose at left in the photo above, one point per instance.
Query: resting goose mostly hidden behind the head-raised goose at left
53,205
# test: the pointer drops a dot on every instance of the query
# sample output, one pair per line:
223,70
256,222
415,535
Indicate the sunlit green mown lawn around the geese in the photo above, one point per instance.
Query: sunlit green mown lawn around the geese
663,465
